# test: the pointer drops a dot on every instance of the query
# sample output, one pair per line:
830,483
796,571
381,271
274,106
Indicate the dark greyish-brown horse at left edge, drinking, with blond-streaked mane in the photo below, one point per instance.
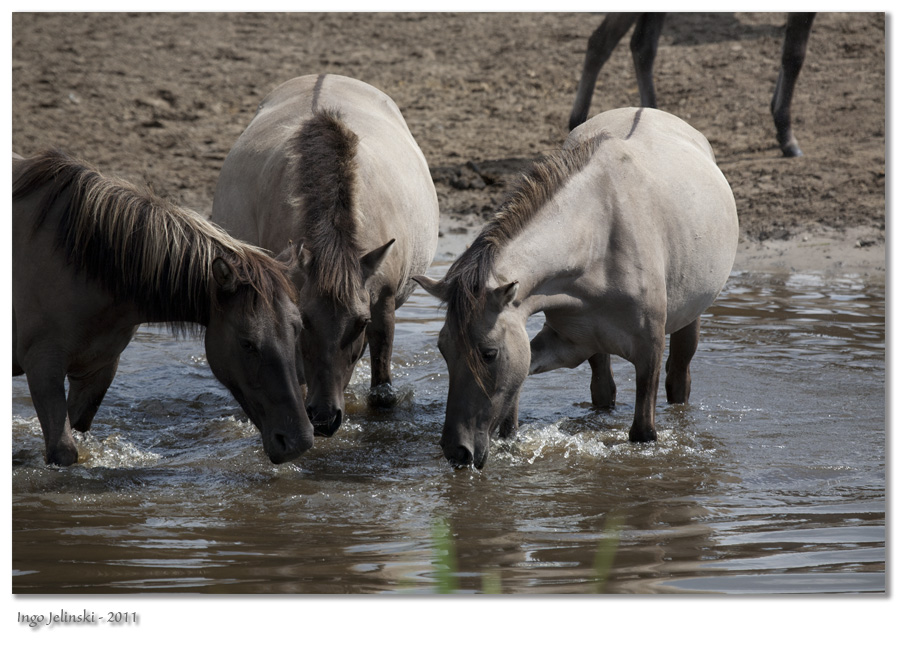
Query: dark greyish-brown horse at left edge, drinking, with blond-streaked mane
95,257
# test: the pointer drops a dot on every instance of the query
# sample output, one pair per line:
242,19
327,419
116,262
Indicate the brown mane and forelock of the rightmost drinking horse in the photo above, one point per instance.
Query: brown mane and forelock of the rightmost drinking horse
464,284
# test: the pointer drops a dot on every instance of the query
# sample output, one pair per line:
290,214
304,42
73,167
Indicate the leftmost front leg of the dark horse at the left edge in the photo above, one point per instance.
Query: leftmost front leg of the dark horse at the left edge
46,382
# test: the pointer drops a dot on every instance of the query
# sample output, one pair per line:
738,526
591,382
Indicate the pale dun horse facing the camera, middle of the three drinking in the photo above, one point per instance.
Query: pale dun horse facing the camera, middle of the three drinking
329,161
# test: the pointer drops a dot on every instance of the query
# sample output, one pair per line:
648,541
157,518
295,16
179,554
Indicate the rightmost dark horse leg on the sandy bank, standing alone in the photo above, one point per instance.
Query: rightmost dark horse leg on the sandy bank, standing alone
793,53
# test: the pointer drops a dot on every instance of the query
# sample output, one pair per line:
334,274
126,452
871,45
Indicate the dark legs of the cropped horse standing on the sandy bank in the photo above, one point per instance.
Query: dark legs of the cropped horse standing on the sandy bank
644,41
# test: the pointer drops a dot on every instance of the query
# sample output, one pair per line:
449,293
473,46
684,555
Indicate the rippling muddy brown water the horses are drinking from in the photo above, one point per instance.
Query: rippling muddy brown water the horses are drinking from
772,480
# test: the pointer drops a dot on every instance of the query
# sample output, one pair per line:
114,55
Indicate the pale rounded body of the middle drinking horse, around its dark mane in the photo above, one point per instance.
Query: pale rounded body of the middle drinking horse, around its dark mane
395,198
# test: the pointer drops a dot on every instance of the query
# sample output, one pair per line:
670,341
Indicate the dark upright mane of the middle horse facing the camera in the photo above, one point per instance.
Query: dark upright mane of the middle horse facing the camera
323,163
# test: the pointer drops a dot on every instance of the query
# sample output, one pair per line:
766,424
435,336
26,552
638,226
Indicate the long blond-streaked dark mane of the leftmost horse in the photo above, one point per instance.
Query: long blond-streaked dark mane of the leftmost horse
139,246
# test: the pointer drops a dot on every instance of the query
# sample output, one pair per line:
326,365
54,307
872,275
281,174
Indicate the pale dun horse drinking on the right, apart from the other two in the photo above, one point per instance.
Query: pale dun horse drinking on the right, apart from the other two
624,236
